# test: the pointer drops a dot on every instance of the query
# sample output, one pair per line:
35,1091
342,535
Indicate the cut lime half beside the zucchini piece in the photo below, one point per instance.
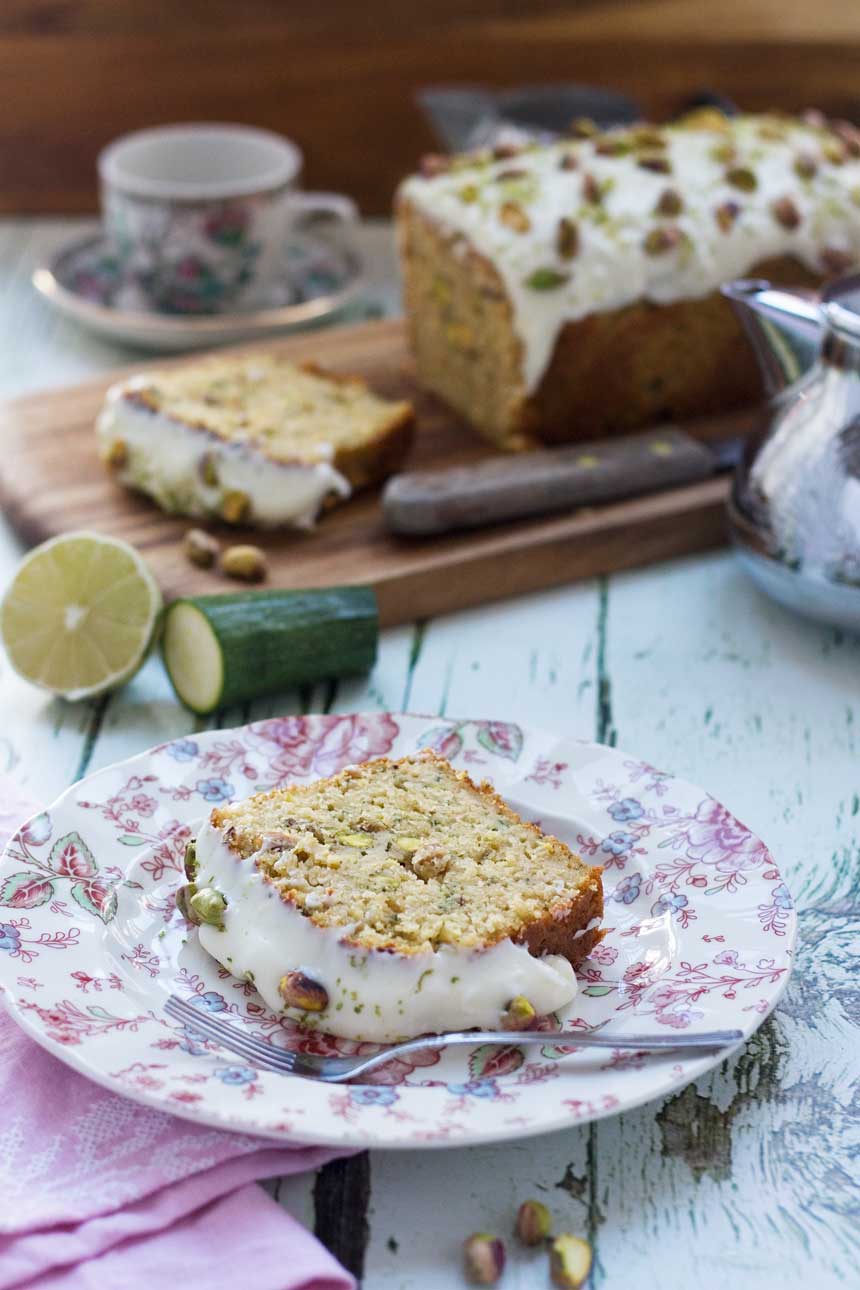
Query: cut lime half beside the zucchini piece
81,615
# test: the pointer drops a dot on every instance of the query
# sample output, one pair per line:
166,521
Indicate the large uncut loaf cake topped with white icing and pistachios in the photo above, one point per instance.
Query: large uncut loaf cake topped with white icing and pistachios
567,291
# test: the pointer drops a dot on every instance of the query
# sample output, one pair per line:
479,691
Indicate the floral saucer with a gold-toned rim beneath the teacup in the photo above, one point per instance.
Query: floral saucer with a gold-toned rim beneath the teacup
84,282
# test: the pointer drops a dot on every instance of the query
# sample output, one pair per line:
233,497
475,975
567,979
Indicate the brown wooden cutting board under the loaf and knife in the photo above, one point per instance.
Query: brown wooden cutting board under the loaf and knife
52,482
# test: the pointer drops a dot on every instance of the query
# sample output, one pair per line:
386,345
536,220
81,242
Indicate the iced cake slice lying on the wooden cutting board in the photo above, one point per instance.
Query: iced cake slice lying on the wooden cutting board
251,441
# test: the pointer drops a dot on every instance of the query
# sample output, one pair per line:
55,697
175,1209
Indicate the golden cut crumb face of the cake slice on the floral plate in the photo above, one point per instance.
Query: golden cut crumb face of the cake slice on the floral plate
411,856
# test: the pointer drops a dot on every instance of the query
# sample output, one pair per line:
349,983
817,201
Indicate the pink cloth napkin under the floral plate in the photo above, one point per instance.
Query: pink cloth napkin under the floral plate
100,1194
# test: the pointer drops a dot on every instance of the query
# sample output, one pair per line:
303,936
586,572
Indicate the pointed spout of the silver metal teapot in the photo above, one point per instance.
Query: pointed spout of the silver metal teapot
785,327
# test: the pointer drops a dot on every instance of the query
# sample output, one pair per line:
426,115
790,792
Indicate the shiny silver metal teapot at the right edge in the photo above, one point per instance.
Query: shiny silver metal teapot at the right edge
795,509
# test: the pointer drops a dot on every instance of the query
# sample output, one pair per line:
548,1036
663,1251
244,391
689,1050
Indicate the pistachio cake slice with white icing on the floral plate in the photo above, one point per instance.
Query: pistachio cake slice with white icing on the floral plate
394,900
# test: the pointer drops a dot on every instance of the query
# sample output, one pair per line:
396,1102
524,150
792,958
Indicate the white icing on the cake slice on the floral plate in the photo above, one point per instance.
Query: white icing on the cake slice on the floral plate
375,995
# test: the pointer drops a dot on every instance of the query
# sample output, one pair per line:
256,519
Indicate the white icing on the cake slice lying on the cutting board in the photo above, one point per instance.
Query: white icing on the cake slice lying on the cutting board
164,461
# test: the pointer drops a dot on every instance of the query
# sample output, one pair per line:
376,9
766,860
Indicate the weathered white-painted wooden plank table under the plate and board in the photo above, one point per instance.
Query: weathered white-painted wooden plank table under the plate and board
750,1177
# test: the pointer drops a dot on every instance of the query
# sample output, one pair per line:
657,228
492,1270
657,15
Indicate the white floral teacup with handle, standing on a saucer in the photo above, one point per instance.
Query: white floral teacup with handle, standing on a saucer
199,216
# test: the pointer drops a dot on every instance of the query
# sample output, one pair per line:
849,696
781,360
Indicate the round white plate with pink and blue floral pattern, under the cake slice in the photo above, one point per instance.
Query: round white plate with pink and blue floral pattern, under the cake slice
699,936
